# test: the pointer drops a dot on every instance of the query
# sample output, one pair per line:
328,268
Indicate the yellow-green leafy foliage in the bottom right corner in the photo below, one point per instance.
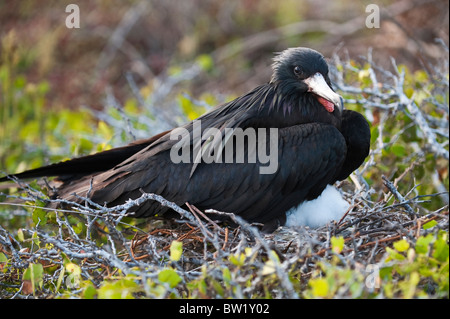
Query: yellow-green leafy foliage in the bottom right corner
409,270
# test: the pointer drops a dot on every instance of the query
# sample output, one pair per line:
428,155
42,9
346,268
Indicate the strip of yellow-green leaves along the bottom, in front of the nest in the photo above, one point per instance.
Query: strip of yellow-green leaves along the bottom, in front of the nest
409,268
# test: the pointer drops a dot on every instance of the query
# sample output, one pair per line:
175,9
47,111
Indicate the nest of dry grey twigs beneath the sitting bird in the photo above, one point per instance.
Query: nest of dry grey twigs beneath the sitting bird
143,250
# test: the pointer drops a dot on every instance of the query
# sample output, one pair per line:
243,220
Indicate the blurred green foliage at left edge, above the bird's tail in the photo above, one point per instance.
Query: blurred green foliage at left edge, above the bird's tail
31,133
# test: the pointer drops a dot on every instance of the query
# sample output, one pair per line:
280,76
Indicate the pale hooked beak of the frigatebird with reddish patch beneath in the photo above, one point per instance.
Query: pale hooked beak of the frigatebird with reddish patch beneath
326,96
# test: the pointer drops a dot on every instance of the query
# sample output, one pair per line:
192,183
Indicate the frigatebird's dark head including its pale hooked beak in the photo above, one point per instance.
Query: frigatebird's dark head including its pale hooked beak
304,71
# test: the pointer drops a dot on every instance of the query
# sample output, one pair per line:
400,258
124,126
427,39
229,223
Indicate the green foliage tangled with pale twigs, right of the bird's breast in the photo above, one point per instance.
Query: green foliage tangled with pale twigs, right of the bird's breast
398,145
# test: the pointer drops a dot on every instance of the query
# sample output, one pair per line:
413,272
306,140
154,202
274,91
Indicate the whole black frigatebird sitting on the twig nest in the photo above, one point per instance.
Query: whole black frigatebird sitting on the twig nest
318,144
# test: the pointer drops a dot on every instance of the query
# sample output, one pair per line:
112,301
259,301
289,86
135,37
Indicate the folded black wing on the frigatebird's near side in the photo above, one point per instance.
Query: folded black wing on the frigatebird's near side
309,155
